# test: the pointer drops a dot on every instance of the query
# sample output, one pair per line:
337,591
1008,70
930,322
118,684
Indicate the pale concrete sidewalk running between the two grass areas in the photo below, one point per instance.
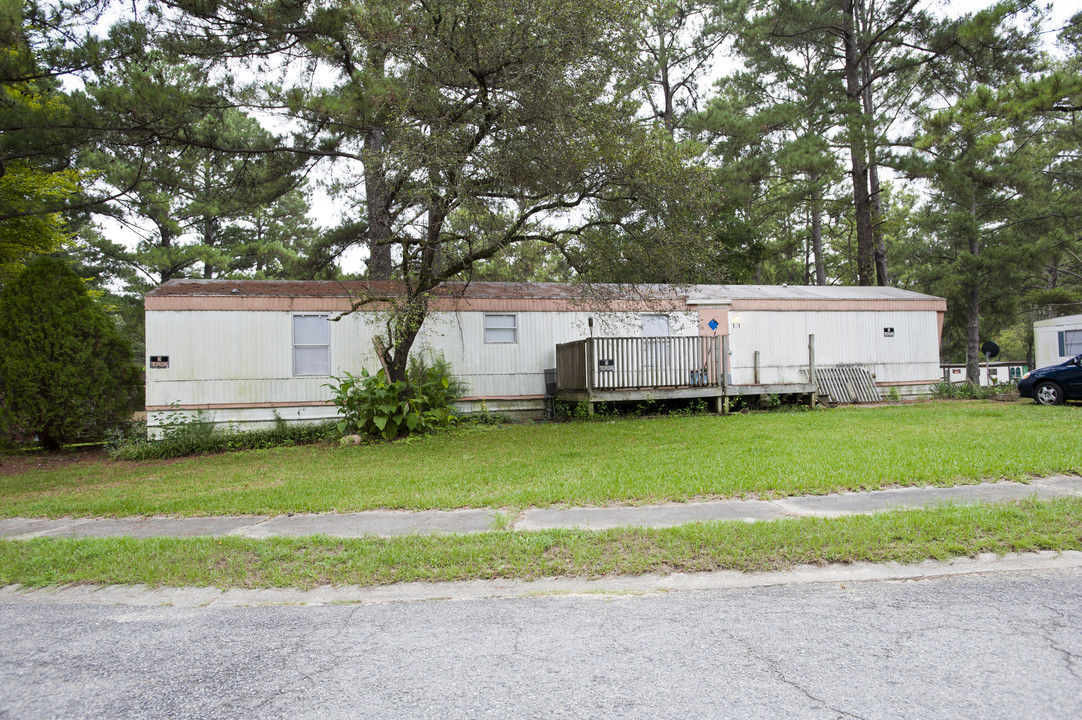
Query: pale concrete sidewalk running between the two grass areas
390,523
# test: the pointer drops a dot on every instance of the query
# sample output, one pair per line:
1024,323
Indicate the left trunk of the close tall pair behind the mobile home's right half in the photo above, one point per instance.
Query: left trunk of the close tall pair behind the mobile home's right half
859,152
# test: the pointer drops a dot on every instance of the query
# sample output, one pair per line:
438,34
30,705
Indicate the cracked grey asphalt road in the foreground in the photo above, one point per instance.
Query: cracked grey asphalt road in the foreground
998,646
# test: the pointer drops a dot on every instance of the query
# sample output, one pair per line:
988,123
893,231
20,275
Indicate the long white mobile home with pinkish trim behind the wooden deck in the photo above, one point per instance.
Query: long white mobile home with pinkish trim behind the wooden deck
249,351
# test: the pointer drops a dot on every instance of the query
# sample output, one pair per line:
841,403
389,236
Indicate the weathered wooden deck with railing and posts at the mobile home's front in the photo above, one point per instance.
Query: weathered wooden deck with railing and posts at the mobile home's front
631,370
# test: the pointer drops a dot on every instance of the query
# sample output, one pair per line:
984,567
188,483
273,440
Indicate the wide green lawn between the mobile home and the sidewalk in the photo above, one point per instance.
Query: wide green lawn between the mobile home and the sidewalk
626,462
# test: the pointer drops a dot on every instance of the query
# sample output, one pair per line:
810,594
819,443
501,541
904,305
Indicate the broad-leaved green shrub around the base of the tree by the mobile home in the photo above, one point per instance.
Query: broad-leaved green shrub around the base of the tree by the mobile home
374,405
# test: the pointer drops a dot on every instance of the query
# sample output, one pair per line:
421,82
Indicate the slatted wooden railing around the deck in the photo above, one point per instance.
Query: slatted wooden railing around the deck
638,363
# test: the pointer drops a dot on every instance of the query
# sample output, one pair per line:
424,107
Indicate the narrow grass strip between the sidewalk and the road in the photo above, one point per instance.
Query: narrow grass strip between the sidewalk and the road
903,536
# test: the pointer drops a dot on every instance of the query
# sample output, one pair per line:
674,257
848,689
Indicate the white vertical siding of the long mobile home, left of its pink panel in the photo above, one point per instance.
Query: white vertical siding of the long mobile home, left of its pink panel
237,366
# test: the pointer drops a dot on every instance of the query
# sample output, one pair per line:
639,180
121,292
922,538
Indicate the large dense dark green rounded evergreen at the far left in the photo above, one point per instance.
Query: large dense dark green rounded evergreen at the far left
65,370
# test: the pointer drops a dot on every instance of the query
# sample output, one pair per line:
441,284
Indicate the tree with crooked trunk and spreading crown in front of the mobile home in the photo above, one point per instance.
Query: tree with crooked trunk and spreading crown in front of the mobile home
518,113
